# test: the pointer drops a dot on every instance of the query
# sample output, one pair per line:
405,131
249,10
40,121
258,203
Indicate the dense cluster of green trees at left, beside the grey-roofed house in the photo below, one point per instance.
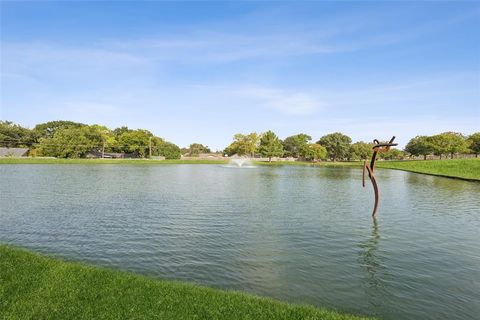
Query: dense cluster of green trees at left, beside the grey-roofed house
68,139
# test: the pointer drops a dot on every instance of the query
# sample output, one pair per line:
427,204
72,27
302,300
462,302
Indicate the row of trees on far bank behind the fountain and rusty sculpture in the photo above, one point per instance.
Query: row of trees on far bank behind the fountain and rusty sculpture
338,146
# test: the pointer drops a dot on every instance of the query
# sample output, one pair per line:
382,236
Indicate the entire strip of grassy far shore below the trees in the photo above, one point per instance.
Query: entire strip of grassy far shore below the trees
465,169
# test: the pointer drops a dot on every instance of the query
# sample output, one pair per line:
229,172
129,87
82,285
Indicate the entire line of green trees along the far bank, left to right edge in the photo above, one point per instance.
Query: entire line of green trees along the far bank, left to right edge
68,139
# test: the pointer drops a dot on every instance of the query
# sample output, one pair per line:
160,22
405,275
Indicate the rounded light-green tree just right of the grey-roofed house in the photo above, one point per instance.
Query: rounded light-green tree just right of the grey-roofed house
70,142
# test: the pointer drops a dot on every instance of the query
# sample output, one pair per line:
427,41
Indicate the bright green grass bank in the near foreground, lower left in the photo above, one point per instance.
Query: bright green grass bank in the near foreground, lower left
33,286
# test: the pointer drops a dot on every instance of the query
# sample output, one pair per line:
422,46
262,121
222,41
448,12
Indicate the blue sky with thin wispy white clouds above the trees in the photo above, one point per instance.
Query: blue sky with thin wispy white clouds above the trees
203,71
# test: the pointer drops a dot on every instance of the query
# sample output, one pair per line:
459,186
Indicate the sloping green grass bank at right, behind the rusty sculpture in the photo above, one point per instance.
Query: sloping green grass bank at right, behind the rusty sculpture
468,169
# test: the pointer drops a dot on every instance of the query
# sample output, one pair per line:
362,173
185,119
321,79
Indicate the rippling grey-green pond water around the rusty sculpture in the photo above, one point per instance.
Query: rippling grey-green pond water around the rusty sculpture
299,234
